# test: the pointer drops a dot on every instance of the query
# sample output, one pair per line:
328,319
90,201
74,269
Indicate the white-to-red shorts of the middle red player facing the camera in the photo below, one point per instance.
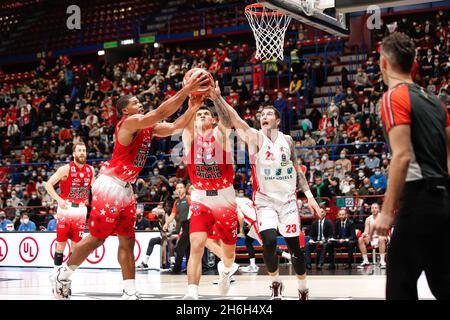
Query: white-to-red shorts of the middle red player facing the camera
214,212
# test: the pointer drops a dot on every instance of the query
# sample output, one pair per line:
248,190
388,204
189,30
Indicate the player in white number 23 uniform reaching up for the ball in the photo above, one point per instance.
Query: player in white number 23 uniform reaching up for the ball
276,180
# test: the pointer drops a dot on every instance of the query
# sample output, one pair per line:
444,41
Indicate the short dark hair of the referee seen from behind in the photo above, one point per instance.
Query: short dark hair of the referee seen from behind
400,50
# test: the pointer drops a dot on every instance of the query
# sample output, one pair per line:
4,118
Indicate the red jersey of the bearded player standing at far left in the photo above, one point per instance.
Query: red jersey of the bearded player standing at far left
76,187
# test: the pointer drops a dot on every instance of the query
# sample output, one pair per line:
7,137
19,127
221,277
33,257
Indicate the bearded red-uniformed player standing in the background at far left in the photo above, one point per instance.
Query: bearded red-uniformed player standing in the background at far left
75,181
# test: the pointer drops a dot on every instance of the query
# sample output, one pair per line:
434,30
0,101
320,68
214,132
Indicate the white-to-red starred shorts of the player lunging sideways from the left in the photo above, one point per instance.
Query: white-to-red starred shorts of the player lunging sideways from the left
113,208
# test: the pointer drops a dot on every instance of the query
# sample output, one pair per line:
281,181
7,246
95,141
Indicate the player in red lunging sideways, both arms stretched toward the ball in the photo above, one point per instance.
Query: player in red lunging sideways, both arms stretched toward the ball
113,201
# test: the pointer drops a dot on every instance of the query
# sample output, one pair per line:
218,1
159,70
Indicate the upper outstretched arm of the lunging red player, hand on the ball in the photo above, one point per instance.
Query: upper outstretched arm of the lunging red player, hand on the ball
167,108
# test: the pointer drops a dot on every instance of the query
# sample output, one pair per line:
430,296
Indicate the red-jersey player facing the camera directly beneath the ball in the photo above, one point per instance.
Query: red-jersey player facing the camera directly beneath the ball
213,207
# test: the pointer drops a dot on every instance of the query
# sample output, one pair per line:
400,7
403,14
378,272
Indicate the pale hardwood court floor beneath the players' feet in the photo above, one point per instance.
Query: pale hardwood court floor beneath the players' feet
101,284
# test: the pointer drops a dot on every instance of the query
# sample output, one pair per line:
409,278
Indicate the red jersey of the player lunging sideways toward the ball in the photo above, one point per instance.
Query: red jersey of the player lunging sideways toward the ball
128,161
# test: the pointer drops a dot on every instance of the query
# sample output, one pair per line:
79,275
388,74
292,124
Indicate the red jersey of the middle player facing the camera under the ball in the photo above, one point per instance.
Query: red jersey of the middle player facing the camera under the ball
210,166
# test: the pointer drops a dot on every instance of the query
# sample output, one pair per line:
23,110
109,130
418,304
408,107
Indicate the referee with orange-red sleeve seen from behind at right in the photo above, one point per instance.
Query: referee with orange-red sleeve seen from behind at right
417,127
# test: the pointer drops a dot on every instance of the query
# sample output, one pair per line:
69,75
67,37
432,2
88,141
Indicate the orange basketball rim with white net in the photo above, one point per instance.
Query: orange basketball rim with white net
269,27
